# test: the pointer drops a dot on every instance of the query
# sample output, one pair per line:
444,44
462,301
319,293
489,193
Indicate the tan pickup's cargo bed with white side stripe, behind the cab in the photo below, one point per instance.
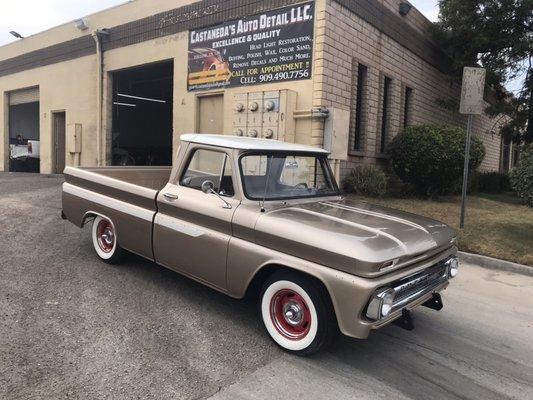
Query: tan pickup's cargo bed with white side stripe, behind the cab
126,195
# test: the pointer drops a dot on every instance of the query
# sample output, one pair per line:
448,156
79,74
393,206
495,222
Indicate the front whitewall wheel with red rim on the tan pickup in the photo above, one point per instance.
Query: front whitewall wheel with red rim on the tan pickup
297,313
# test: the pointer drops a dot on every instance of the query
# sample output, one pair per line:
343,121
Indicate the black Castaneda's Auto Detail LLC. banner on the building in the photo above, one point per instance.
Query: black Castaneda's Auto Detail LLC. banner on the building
273,47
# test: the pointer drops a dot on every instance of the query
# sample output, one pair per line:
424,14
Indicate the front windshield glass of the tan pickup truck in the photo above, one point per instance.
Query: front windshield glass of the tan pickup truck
286,176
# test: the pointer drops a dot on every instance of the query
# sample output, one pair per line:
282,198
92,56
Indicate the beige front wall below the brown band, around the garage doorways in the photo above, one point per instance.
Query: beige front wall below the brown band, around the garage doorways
72,86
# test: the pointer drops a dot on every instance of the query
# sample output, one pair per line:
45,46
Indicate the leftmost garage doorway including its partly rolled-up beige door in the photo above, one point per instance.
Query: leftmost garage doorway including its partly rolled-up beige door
24,135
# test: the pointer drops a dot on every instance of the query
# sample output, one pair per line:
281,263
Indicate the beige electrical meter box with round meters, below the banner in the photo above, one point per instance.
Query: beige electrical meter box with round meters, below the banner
268,115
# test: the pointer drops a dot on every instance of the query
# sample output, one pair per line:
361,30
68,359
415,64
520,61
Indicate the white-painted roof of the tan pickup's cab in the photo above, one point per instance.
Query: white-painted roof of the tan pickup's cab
248,143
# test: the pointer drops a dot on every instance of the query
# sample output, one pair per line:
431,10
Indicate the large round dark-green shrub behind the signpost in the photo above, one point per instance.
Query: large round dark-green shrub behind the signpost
431,157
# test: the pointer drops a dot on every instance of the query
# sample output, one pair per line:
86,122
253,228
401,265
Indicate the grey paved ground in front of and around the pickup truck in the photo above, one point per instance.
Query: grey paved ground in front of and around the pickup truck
72,327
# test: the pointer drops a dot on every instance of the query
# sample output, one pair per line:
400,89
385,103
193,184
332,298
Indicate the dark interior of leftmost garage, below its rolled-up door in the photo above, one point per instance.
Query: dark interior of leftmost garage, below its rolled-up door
23,127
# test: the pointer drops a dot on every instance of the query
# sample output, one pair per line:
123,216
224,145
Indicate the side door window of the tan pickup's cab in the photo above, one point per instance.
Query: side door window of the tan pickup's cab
209,165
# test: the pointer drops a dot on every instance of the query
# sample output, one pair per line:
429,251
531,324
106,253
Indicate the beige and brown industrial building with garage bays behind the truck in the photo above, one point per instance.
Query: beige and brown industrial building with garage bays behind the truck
120,86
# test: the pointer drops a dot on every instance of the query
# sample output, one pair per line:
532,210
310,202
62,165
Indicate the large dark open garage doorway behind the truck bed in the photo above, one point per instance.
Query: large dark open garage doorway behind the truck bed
142,115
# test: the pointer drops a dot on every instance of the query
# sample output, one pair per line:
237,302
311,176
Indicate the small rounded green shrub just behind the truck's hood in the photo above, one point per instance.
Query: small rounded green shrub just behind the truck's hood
366,181
